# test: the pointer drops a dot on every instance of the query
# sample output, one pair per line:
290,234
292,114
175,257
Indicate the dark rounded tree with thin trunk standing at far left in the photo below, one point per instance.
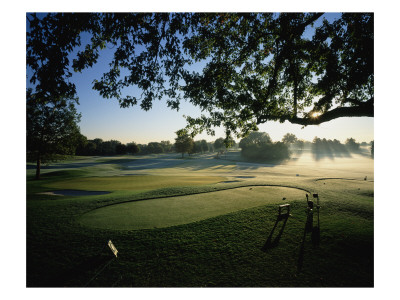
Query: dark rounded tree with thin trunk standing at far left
52,132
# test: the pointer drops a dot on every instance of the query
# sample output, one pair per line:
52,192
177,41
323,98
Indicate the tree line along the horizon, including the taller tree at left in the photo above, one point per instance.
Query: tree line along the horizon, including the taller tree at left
44,146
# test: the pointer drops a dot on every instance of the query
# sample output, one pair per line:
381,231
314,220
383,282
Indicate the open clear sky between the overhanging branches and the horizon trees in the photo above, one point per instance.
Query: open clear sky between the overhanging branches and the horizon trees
103,118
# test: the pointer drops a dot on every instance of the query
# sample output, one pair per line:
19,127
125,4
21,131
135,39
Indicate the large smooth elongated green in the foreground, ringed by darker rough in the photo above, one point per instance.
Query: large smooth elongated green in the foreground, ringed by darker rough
165,212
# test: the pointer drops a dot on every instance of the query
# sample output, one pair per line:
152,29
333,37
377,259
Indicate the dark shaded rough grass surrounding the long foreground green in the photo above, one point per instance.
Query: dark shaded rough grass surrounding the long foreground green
221,251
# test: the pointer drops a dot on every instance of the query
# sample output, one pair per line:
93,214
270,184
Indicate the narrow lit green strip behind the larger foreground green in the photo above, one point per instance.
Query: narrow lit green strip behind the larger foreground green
133,183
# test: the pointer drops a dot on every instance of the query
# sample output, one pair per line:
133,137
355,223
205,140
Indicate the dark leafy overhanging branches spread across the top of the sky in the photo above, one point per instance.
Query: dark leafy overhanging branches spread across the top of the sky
241,69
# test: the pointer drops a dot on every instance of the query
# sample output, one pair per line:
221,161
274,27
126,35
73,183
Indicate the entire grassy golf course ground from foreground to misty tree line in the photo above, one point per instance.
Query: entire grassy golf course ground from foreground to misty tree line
224,248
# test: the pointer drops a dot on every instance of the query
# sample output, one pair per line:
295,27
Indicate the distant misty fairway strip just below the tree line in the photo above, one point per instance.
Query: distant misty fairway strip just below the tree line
301,164
